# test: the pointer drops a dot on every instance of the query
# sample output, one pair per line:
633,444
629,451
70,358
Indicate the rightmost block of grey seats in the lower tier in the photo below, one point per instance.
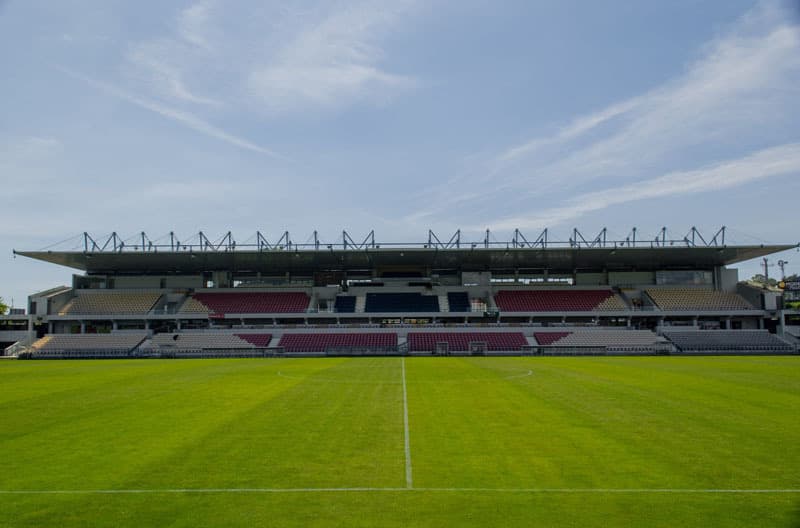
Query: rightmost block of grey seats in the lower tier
727,340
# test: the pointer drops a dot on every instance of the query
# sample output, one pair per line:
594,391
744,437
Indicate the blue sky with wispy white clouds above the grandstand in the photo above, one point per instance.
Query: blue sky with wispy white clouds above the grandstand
399,116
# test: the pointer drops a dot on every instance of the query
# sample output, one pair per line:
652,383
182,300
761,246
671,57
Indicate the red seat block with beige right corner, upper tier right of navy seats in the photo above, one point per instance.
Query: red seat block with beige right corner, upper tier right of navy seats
558,300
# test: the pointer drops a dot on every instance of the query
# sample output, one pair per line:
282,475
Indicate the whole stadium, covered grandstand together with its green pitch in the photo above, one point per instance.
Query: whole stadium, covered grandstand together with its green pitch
364,383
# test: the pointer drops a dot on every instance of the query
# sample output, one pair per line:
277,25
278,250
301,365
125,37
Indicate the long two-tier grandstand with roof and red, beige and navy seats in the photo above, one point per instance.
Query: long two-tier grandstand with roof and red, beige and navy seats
200,298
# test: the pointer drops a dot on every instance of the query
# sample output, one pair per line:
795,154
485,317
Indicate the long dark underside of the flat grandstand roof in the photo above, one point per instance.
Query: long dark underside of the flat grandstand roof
302,261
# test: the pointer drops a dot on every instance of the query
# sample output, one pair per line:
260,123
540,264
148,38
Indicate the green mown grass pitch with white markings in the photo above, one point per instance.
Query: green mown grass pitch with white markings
652,441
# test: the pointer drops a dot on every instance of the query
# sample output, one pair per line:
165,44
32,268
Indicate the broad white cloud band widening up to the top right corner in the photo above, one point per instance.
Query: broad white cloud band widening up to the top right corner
742,87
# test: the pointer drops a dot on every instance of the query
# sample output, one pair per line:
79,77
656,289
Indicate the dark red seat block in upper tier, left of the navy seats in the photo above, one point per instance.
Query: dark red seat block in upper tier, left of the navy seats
254,302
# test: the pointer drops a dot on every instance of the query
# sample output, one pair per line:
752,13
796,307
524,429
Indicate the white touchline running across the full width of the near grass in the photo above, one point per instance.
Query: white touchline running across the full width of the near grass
370,489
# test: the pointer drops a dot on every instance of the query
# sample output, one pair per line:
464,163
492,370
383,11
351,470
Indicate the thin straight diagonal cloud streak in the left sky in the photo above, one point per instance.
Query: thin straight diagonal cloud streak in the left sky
184,118
